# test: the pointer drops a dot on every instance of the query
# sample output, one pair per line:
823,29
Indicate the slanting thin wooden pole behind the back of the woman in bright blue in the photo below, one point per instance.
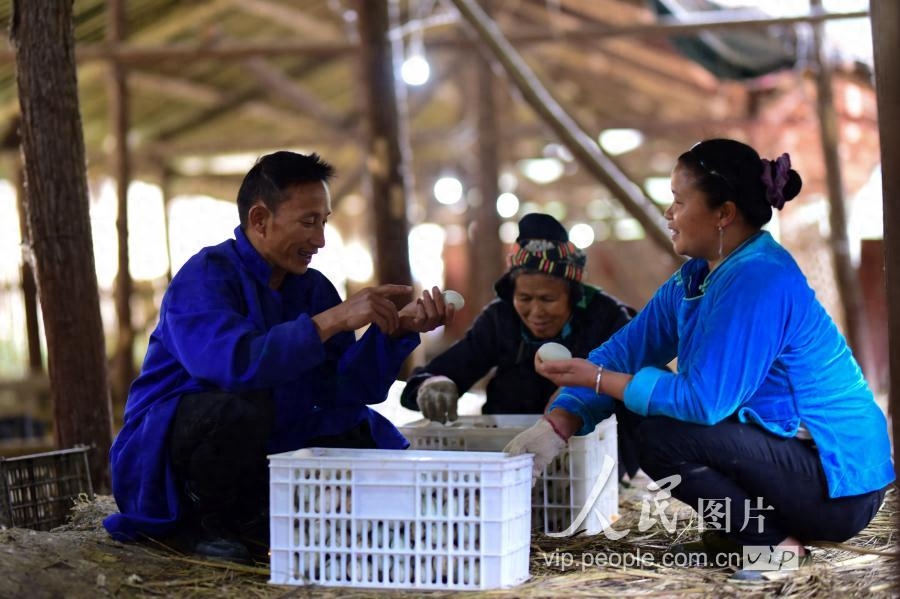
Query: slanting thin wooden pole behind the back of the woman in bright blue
845,274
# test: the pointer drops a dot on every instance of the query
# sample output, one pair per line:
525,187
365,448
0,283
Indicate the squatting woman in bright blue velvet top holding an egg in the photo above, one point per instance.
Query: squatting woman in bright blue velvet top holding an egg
768,421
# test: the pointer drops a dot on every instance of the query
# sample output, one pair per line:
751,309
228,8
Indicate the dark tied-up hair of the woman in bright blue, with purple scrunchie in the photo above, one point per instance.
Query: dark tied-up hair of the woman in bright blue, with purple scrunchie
726,169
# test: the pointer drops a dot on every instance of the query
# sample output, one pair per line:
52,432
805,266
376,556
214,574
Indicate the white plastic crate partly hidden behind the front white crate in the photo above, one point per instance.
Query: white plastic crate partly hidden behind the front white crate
564,486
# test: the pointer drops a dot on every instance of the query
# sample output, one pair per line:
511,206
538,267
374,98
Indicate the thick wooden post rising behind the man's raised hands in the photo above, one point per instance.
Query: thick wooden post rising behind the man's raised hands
387,141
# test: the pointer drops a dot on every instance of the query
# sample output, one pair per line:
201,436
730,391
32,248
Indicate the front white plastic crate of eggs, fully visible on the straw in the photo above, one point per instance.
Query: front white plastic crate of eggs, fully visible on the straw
399,519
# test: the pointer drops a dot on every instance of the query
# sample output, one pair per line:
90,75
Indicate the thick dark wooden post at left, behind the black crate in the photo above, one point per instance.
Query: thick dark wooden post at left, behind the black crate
60,228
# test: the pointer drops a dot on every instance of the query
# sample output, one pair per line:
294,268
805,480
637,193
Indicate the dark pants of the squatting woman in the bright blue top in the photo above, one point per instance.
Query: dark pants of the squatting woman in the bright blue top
754,486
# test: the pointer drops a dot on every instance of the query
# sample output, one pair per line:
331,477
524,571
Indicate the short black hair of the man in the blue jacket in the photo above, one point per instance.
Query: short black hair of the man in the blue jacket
273,174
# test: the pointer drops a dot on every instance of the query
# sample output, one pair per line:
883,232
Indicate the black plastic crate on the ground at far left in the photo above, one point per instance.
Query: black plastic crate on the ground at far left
39,490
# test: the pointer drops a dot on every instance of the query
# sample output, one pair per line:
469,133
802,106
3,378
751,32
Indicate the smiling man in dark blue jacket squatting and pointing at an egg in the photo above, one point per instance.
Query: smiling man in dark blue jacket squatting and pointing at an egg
255,353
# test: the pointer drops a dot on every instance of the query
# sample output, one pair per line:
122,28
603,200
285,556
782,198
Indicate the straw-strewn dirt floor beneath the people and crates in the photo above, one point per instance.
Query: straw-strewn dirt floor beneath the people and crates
79,560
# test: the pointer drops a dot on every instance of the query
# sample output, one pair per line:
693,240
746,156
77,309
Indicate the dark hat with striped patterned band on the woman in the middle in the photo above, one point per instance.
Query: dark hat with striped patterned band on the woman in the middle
543,245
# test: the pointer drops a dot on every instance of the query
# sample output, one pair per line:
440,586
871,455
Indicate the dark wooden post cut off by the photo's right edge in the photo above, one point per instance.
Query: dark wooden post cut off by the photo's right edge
886,42
